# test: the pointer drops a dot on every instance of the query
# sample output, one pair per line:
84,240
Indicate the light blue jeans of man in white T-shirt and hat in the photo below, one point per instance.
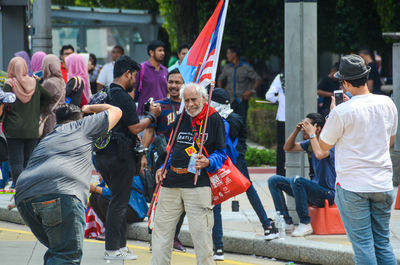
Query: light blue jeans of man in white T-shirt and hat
366,218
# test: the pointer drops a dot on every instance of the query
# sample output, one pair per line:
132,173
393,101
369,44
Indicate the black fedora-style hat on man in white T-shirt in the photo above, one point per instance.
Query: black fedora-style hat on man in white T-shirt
352,67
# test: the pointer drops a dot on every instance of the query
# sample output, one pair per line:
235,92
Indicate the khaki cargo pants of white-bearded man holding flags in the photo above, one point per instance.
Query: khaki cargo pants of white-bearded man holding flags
171,203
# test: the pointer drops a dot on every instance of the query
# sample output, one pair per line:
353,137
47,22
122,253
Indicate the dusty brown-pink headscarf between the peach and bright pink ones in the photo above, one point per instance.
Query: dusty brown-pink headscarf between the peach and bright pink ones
52,70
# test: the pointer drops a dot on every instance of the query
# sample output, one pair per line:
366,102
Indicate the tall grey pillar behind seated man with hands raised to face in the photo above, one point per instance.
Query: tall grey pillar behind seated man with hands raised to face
300,76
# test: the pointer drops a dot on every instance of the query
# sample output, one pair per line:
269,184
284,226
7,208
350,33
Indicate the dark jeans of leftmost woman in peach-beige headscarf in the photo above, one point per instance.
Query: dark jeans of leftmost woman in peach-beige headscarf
19,151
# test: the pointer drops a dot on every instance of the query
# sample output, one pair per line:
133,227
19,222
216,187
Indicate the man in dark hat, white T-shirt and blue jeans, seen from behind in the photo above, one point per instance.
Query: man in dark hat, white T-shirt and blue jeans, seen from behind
362,130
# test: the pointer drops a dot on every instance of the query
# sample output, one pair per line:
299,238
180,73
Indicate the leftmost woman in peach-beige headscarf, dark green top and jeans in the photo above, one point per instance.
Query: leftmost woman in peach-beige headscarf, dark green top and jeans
21,120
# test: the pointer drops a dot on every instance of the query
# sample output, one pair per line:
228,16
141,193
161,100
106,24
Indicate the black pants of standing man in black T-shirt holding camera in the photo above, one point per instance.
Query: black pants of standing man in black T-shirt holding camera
118,174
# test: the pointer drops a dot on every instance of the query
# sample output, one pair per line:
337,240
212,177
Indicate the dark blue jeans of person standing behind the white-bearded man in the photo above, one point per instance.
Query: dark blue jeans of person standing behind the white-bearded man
253,199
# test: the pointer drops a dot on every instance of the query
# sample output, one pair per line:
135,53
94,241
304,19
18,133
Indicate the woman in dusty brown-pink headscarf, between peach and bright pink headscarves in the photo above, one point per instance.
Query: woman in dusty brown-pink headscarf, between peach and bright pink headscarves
54,83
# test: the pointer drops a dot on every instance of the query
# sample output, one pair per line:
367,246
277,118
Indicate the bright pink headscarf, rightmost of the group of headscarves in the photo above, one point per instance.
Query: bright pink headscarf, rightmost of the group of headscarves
77,67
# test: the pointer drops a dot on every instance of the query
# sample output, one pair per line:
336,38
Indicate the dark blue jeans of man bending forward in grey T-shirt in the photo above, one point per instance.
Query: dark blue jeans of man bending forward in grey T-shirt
58,222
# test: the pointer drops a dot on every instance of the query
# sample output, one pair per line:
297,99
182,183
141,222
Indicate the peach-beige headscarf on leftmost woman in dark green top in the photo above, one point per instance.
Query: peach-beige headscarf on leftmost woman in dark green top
22,85
